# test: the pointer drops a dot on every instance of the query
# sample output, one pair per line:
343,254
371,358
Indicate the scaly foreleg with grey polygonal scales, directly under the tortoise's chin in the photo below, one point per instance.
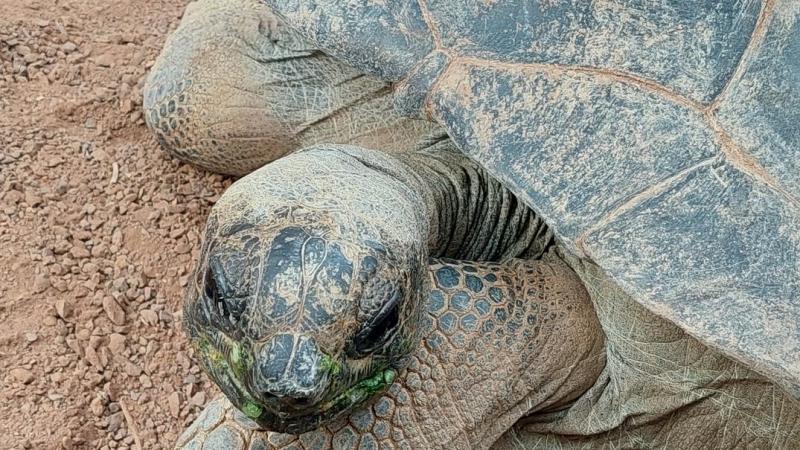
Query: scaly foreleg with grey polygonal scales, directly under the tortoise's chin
500,338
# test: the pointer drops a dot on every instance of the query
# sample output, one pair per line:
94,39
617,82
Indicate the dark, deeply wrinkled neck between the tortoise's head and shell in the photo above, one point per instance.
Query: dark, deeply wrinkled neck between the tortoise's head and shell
460,210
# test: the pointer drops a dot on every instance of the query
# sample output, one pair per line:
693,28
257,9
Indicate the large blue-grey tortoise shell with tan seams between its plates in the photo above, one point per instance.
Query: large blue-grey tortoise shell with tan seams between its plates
658,139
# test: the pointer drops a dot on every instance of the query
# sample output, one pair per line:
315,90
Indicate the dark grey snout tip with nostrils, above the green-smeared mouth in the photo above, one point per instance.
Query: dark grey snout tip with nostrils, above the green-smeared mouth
289,373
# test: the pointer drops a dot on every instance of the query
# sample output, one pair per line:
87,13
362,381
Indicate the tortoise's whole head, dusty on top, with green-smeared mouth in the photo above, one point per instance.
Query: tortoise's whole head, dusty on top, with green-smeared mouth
306,300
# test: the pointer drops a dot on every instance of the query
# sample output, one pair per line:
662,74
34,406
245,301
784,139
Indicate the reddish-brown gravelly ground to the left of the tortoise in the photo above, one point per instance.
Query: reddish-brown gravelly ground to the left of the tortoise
98,231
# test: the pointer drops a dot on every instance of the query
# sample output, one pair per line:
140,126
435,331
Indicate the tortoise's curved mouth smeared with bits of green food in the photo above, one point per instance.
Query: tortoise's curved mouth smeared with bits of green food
227,367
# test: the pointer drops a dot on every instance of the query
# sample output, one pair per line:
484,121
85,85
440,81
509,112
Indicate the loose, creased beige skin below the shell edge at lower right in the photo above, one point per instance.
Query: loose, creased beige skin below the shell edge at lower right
661,389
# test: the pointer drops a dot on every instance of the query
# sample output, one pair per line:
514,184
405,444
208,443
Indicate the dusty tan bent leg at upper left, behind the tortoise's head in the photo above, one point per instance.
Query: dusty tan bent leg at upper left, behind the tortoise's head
234,89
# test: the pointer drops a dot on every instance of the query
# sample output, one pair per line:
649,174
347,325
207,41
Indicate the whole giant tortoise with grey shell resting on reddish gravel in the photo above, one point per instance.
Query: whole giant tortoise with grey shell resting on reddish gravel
657,141
